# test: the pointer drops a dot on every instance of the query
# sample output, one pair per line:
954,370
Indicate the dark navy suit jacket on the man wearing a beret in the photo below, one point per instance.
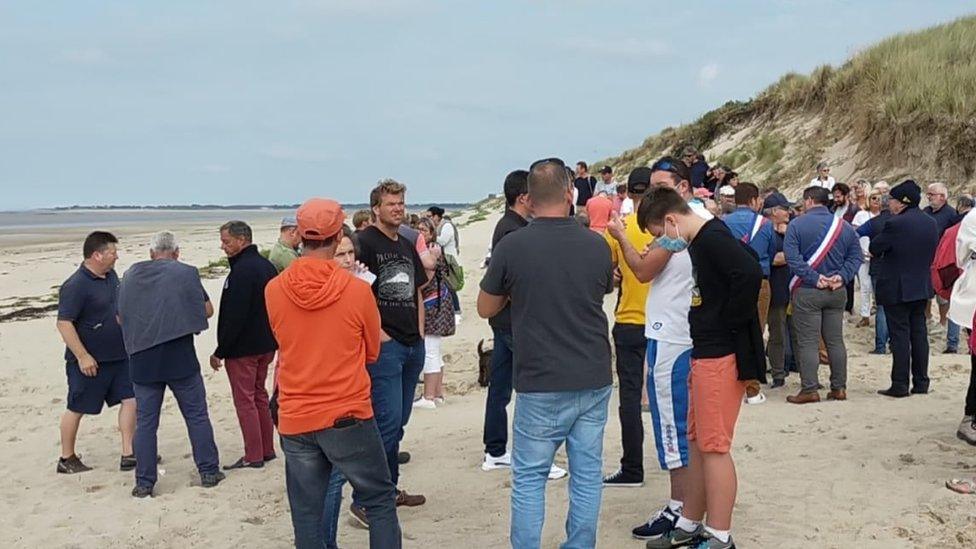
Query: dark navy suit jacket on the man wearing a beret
906,245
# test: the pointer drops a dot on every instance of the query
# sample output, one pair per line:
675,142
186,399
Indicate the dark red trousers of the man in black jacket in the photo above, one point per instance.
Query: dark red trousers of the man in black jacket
248,375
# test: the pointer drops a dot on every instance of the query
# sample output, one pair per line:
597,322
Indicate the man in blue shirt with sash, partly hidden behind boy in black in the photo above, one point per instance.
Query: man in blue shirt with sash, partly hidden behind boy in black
750,227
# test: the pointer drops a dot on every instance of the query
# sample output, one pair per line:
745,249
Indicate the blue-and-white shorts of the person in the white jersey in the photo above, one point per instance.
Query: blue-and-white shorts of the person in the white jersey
668,365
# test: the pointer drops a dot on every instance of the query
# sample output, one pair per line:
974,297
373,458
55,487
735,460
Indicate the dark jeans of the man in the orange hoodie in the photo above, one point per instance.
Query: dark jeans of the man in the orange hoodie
357,452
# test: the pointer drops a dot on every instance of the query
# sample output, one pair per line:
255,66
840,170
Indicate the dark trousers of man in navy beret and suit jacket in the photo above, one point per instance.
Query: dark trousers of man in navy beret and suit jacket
909,344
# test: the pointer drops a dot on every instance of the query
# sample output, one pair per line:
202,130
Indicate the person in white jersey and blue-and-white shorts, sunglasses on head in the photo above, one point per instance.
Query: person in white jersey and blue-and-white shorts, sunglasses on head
668,346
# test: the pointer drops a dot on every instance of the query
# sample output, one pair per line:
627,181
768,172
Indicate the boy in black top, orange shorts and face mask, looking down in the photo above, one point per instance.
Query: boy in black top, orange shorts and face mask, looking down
727,350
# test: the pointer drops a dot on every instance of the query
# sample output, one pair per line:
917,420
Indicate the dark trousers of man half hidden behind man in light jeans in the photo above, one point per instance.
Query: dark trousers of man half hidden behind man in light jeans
499,394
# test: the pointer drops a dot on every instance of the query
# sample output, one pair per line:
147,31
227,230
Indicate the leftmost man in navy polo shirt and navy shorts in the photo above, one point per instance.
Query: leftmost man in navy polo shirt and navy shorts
97,365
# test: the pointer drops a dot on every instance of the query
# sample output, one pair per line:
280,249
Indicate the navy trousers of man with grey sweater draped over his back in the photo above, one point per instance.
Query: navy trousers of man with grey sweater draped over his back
191,396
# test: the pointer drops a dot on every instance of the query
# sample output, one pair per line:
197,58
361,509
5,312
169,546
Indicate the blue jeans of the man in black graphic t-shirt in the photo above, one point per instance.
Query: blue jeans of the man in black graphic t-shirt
393,379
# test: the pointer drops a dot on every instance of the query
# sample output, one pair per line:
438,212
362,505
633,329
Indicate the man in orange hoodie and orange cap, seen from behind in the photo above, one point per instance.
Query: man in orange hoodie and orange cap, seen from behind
328,328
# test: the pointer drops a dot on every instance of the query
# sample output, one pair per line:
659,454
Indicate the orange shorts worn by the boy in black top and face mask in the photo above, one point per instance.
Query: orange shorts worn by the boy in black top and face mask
715,397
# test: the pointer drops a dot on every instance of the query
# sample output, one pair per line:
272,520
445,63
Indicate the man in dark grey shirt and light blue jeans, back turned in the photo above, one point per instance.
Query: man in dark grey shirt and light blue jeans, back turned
556,274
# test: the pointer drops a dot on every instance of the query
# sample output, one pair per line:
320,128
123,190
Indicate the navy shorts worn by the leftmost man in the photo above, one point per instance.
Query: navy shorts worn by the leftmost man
111,385
